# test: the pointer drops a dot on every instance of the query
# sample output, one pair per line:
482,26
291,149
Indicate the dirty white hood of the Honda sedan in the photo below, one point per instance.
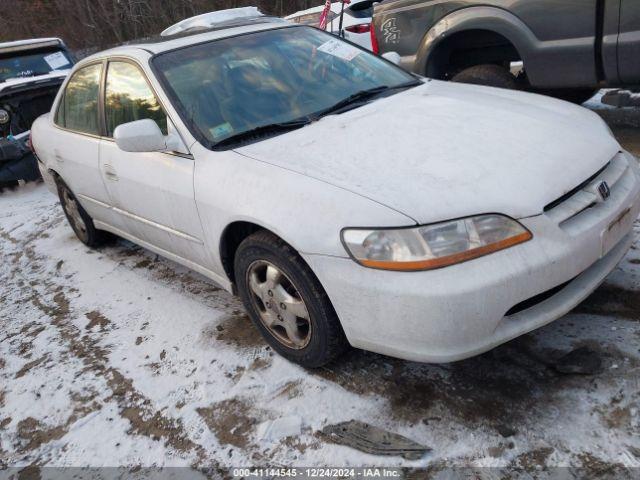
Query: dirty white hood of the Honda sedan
444,150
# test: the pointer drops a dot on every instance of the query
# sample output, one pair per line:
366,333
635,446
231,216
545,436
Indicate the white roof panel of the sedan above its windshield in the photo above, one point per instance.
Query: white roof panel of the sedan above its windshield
162,44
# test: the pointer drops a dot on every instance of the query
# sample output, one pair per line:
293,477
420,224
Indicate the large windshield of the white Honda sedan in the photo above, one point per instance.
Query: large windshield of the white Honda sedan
236,85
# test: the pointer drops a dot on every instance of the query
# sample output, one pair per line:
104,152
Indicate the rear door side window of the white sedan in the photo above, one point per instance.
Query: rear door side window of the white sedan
78,110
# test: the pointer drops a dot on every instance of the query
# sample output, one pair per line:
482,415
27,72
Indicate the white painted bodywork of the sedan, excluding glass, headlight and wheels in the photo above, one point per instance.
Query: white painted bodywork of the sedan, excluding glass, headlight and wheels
435,152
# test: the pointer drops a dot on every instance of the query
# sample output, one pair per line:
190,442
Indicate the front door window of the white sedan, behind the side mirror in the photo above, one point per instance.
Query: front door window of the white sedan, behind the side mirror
129,98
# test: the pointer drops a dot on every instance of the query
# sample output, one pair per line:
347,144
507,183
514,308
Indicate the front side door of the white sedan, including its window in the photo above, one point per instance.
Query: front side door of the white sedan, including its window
151,192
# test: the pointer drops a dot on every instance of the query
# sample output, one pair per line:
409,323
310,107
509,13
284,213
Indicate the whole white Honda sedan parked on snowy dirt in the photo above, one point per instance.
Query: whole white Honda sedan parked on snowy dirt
346,201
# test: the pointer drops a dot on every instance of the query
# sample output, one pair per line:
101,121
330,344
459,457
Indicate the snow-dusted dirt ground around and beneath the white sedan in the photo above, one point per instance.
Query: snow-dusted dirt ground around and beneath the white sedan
118,357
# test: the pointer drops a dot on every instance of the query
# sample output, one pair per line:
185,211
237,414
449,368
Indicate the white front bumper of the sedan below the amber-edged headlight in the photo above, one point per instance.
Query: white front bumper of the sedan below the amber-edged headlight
464,310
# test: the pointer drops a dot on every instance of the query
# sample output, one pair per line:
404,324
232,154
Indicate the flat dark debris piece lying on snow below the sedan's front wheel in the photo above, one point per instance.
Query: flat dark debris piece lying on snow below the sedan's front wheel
374,440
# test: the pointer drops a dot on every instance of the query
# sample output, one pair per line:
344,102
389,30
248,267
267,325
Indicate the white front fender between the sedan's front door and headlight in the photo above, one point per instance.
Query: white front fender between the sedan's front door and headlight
306,213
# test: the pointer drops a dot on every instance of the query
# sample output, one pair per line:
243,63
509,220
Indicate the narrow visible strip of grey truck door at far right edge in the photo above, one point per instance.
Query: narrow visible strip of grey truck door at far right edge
629,42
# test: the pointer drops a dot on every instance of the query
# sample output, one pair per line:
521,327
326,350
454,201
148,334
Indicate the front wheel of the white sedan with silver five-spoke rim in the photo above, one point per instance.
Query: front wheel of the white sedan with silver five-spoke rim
286,302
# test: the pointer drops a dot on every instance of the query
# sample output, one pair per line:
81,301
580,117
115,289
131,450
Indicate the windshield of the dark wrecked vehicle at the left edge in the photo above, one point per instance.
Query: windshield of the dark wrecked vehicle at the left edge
31,64
